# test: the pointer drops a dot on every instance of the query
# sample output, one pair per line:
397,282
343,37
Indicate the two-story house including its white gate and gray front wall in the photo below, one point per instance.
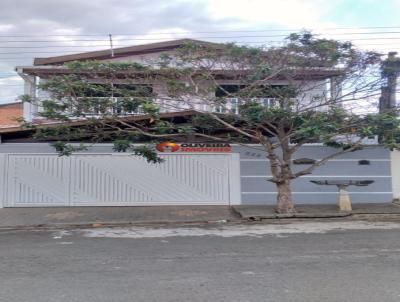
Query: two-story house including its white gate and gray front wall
35,176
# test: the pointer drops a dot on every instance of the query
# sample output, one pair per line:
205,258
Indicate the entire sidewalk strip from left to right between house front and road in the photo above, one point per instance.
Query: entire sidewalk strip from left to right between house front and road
92,216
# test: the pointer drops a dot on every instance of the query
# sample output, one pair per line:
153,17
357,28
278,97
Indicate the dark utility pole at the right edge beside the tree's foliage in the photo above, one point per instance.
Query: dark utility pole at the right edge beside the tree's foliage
390,71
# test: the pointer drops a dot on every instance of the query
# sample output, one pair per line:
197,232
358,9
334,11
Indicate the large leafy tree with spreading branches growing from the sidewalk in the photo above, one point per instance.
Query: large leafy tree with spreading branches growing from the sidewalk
241,95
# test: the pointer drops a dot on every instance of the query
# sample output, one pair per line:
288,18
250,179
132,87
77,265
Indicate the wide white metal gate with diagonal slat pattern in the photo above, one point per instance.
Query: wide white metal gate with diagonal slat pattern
119,180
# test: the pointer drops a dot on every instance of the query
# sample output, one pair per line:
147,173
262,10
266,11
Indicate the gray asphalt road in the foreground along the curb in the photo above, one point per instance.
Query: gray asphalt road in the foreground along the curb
229,263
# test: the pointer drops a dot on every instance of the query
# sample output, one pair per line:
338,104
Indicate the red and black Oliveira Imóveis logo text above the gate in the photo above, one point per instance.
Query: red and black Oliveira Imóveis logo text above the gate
193,147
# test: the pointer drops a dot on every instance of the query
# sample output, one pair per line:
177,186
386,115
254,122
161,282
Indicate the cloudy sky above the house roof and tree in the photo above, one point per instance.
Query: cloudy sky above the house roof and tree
44,28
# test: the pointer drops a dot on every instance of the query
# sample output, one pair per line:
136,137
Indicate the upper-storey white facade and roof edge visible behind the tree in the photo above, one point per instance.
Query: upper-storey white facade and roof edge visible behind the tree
320,85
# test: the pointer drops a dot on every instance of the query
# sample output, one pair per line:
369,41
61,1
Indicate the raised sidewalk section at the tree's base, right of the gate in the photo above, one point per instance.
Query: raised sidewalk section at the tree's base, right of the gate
258,212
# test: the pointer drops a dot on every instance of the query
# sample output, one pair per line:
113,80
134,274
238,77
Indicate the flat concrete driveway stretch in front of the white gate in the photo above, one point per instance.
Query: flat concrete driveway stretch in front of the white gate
74,216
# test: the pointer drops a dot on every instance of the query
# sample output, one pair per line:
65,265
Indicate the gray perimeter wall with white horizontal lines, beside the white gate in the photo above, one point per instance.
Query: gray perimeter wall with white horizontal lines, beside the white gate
255,172
